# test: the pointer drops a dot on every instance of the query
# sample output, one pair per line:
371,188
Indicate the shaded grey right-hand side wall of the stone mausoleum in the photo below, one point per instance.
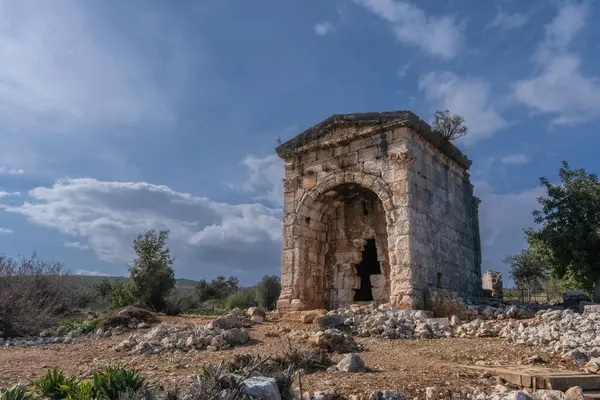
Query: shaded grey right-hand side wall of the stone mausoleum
444,241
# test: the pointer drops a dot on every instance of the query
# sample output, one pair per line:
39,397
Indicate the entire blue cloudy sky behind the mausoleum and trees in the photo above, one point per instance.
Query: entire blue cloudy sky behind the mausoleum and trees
119,117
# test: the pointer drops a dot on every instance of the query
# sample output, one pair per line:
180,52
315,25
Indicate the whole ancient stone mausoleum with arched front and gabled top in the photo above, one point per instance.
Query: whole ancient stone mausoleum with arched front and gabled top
378,207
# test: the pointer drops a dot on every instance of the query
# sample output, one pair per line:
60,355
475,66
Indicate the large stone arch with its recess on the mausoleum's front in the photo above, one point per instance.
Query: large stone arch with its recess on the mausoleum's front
321,268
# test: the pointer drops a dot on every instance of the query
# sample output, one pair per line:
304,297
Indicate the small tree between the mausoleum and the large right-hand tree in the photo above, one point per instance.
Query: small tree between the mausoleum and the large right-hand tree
527,270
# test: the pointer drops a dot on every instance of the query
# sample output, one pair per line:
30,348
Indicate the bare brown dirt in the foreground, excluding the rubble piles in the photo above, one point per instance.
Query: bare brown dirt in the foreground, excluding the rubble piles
405,366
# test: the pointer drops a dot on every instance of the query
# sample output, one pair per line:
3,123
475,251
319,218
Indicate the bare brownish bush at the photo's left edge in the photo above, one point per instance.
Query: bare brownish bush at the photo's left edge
35,294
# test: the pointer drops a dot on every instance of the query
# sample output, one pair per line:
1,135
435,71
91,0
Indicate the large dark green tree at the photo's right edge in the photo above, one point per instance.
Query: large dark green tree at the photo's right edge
569,233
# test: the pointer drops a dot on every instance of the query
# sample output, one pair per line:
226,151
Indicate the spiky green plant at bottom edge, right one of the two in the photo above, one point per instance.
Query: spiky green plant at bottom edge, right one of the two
115,381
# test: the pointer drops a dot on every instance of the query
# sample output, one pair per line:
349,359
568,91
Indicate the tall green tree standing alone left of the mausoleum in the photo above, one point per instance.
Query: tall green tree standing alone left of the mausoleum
152,274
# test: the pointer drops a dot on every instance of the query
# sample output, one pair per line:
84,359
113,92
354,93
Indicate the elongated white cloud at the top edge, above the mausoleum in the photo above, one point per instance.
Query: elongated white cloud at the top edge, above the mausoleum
439,36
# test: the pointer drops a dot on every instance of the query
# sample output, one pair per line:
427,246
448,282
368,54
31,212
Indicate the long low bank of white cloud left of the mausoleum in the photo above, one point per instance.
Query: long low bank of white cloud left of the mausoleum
204,233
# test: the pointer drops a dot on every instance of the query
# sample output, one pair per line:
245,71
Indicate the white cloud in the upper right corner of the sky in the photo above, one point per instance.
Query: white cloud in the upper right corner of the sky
560,88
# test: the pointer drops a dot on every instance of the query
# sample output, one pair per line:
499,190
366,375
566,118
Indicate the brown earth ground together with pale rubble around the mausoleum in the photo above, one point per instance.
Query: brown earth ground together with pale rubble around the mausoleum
433,353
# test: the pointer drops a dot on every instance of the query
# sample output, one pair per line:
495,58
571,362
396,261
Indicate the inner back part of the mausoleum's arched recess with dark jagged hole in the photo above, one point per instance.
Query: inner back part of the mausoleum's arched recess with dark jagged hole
356,257
